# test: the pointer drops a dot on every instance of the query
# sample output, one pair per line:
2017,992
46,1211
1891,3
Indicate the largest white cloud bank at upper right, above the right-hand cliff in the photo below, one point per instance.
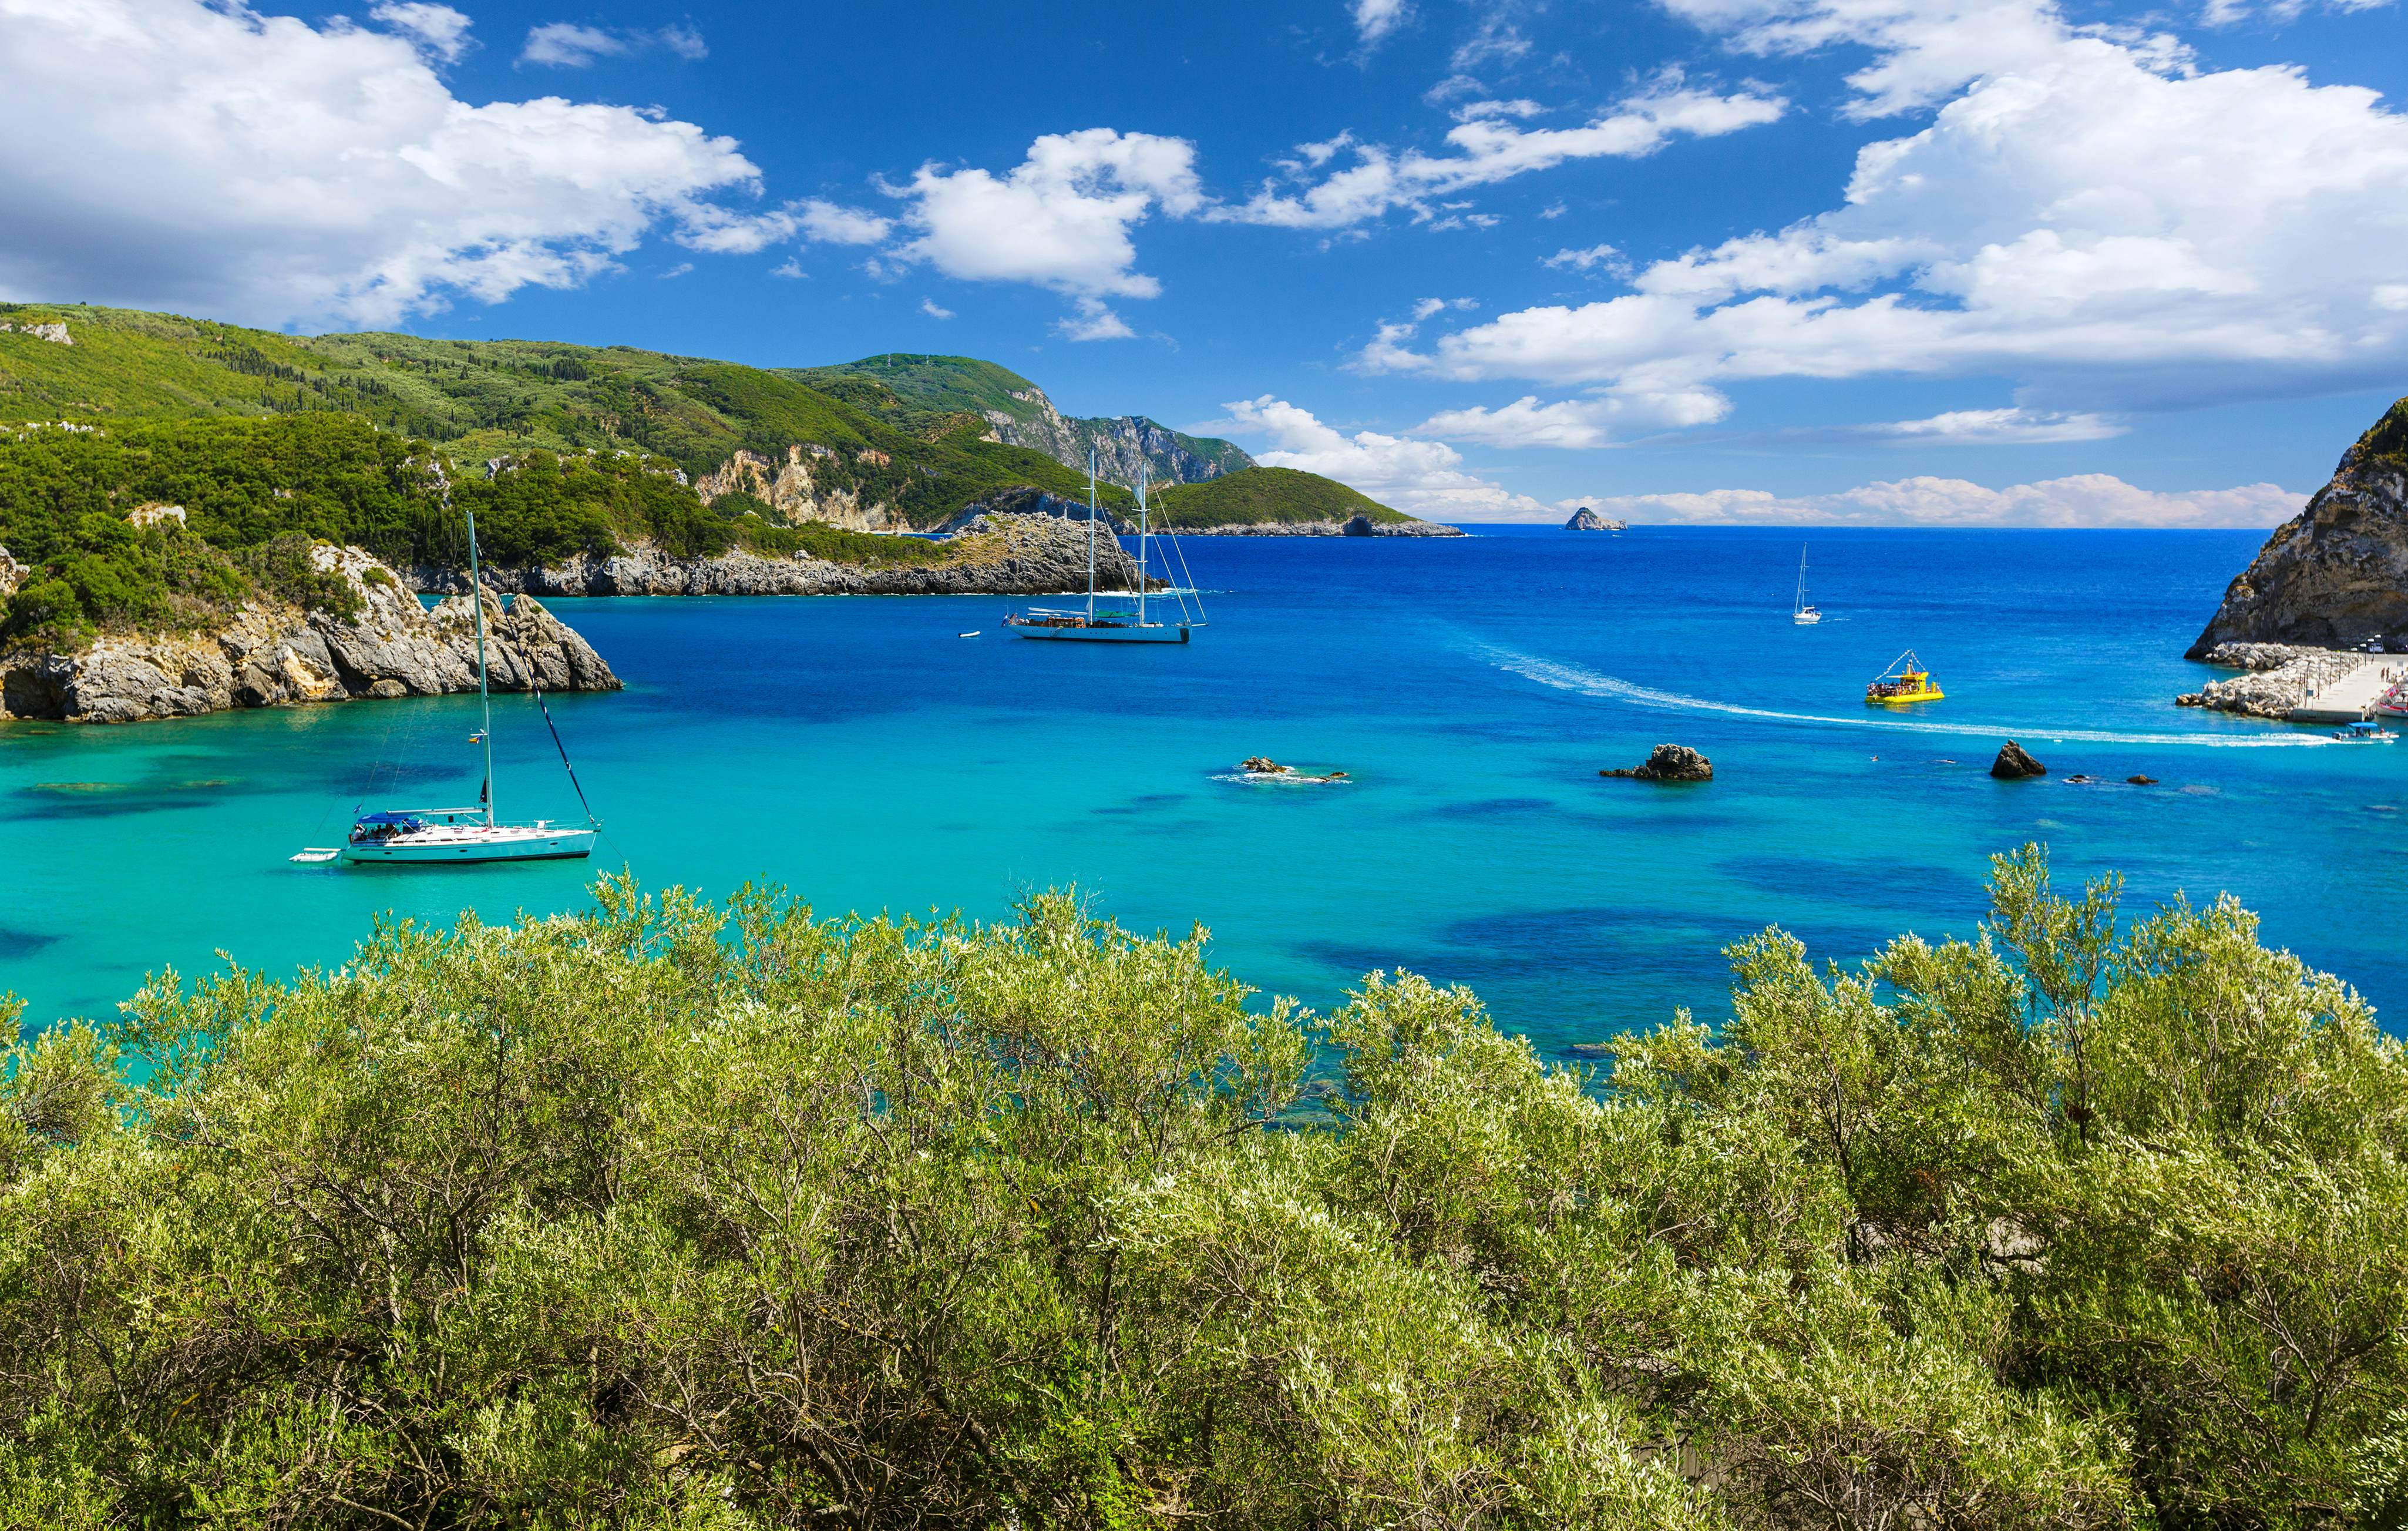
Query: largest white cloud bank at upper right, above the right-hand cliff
2087,215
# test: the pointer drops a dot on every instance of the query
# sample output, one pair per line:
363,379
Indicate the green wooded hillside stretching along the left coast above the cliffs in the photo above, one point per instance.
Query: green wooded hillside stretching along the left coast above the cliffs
560,451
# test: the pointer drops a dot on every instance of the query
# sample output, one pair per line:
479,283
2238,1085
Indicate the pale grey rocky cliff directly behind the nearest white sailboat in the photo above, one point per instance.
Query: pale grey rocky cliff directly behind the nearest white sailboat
273,654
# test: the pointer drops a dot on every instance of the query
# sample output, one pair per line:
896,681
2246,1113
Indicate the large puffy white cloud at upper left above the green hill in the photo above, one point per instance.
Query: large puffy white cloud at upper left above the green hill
218,160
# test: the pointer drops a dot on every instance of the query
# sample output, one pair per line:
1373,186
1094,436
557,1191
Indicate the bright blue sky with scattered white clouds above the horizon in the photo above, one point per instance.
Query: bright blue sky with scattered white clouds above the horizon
1800,261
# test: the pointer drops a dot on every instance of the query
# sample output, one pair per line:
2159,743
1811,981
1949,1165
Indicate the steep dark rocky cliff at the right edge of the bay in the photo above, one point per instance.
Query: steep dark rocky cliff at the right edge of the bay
2337,574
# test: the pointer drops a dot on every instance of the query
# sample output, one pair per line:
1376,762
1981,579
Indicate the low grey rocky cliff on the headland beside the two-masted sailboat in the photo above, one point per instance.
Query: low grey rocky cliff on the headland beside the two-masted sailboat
1005,555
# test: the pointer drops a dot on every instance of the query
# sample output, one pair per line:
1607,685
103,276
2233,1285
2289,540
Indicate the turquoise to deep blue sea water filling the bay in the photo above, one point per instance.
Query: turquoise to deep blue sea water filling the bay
866,757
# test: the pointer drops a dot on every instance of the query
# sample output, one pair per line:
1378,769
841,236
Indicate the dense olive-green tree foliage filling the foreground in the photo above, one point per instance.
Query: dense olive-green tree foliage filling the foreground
726,1217
